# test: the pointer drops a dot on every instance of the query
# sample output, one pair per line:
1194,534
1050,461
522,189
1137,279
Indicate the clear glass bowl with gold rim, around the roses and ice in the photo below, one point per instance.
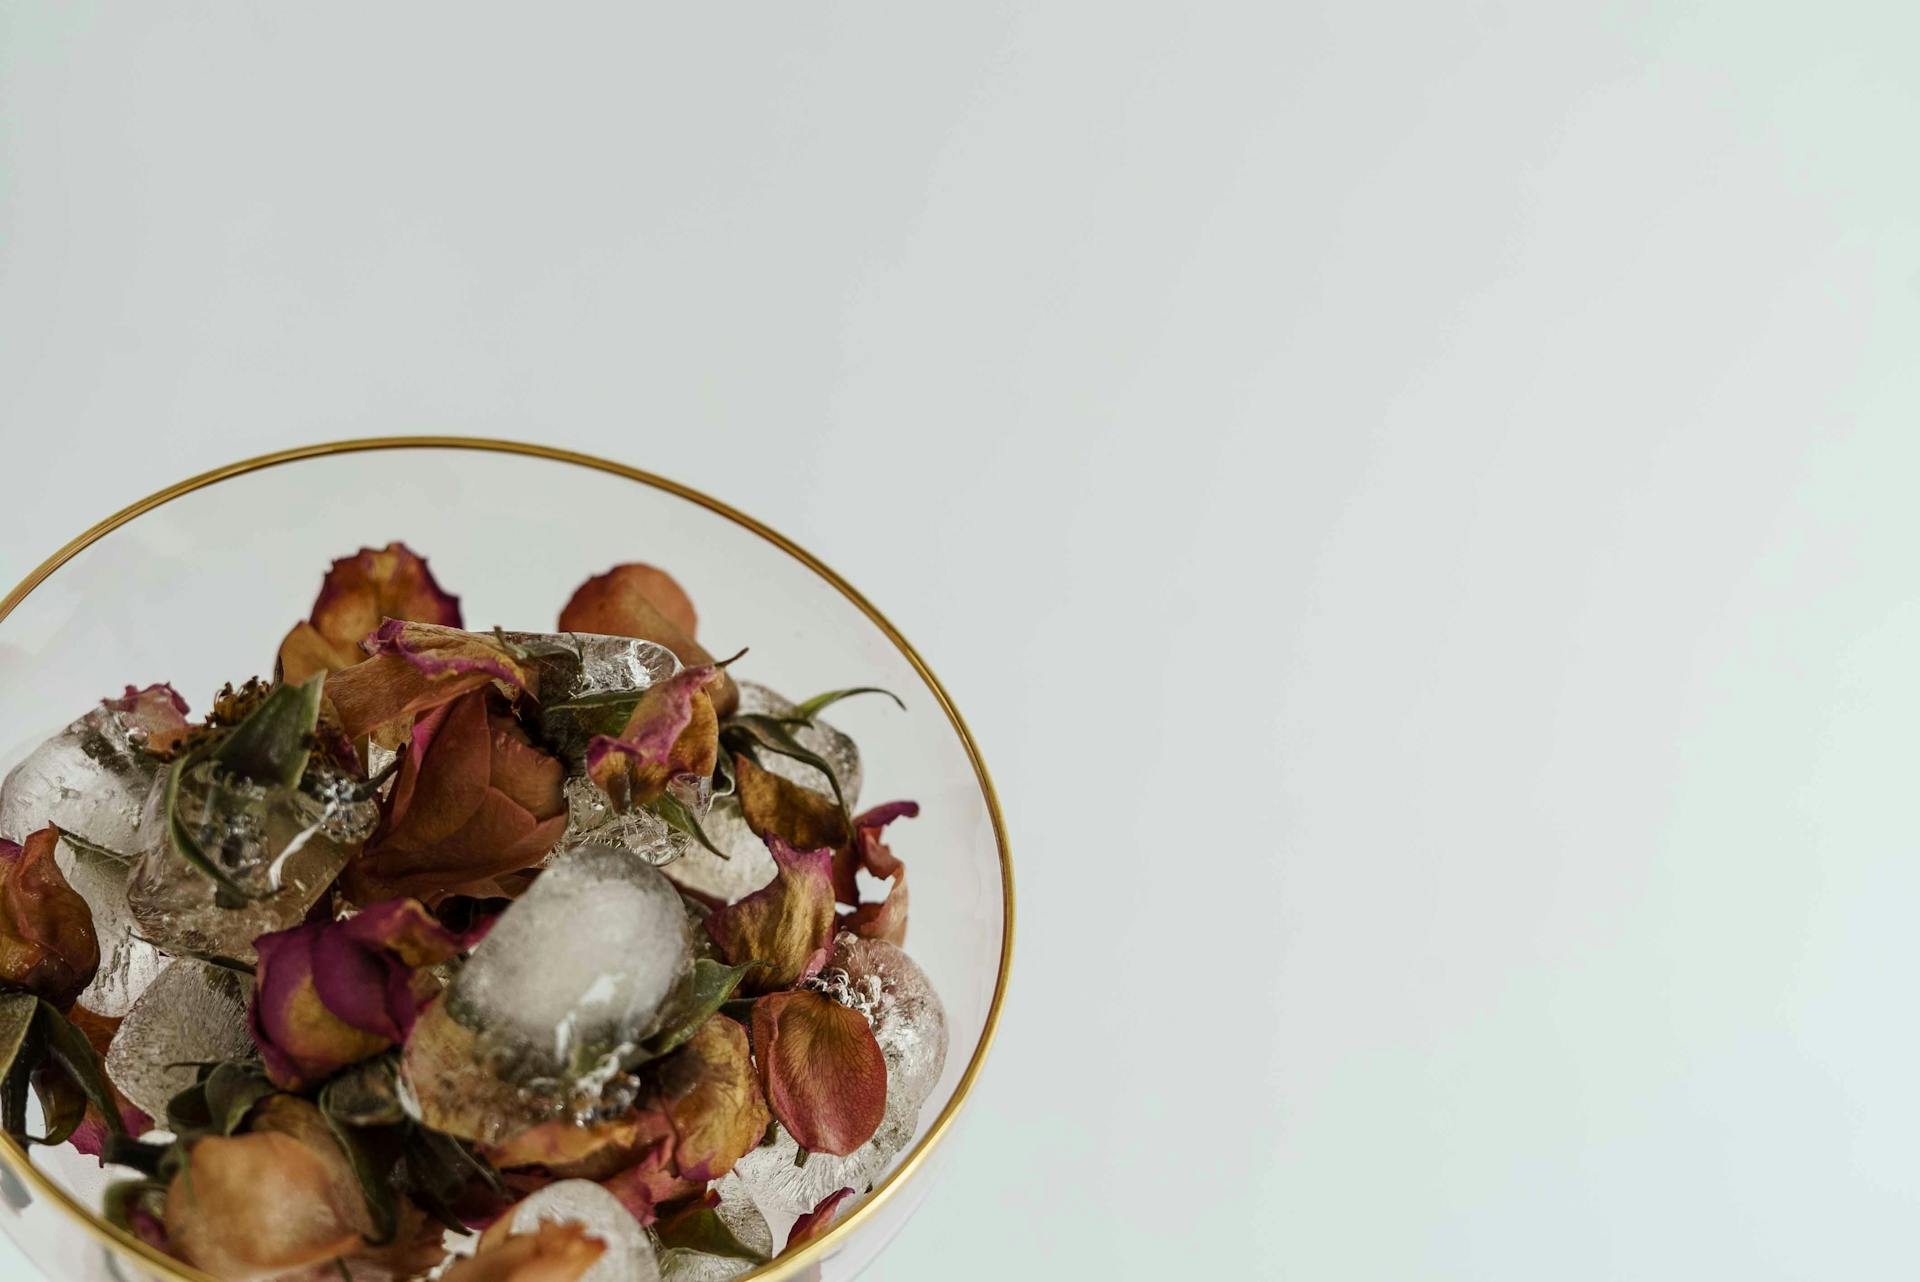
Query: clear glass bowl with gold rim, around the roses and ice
199,584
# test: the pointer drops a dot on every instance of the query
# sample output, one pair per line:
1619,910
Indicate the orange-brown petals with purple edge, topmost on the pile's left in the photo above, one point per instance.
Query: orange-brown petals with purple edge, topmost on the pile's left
358,594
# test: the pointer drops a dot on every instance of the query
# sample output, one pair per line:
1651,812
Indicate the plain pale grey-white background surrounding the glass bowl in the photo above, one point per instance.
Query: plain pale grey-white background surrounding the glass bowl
1418,502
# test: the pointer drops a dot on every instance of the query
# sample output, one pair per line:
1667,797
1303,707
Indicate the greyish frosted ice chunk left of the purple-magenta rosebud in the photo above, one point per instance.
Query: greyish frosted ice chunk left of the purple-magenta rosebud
193,1012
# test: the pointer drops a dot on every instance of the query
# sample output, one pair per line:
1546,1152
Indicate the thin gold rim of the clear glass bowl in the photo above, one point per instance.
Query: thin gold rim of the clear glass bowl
786,1266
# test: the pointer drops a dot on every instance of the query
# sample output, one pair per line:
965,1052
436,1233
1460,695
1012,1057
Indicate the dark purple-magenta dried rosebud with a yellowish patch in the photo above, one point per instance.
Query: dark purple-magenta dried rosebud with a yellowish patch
335,993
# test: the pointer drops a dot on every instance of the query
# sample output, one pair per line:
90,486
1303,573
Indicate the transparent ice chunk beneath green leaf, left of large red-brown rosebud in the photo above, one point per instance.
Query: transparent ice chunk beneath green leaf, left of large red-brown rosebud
281,845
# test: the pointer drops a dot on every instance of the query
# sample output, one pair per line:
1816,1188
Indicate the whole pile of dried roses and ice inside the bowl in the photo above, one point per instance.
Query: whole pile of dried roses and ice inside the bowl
431,939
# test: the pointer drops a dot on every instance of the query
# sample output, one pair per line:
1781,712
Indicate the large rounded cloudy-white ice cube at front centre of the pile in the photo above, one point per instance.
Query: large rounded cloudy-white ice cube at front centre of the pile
575,974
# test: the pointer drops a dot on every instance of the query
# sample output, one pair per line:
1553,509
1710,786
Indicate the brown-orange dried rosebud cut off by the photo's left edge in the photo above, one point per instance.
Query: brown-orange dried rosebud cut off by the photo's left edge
47,932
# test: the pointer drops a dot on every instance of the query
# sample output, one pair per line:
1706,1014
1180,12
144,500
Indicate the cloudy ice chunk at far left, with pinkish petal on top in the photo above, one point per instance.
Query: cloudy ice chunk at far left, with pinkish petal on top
91,780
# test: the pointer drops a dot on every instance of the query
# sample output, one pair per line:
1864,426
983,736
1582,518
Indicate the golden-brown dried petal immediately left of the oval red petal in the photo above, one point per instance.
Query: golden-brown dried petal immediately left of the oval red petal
713,1101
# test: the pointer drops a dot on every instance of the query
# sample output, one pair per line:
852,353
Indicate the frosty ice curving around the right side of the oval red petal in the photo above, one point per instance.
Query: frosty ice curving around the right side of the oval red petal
911,1028
